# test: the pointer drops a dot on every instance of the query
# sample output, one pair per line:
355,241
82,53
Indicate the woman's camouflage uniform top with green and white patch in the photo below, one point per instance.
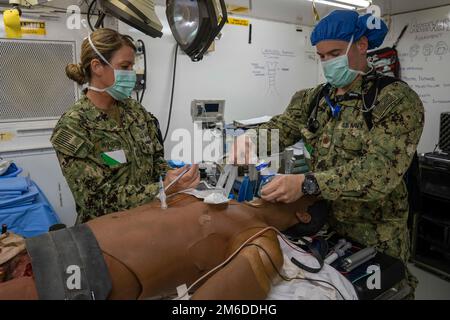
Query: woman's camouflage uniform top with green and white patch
81,138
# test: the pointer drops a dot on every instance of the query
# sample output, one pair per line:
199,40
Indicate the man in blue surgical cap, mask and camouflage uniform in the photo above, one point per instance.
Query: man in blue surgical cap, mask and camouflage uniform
358,169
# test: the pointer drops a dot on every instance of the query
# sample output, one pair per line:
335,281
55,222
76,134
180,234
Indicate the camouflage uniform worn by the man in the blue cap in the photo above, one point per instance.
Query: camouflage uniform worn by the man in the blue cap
361,171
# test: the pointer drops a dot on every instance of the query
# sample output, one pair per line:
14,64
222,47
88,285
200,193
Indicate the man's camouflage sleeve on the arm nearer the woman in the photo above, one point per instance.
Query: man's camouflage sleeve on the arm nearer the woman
290,123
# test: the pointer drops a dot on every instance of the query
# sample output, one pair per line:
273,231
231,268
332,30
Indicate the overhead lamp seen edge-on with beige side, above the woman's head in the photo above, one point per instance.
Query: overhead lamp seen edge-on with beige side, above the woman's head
140,14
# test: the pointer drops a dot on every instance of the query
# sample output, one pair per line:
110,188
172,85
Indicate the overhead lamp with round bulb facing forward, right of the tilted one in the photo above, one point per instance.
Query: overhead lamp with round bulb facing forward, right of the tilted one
195,24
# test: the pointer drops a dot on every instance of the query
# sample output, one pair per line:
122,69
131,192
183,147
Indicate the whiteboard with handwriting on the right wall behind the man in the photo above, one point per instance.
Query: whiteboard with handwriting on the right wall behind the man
425,64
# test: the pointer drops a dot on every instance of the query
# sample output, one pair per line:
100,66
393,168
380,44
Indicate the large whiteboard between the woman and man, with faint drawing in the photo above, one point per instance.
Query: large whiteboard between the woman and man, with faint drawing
255,79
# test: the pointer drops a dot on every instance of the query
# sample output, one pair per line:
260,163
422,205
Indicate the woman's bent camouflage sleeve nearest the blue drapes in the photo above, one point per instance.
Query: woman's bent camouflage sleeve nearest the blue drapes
92,188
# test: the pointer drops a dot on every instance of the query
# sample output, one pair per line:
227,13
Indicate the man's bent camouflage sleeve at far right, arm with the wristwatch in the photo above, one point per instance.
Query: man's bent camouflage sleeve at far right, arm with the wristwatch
398,125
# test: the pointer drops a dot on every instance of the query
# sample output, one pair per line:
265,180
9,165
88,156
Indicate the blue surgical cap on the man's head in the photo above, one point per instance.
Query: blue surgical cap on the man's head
343,24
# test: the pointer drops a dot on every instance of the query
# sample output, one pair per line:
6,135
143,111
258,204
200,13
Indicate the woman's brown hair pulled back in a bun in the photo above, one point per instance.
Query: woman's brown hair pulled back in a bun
107,42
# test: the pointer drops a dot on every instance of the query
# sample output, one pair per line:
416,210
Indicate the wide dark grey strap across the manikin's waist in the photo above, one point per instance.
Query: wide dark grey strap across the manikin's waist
57,257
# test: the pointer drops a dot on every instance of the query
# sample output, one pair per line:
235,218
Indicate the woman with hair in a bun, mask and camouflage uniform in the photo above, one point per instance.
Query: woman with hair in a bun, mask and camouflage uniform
107,143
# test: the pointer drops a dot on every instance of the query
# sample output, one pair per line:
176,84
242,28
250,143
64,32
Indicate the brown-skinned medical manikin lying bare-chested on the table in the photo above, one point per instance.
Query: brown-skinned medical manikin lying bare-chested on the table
149,252
